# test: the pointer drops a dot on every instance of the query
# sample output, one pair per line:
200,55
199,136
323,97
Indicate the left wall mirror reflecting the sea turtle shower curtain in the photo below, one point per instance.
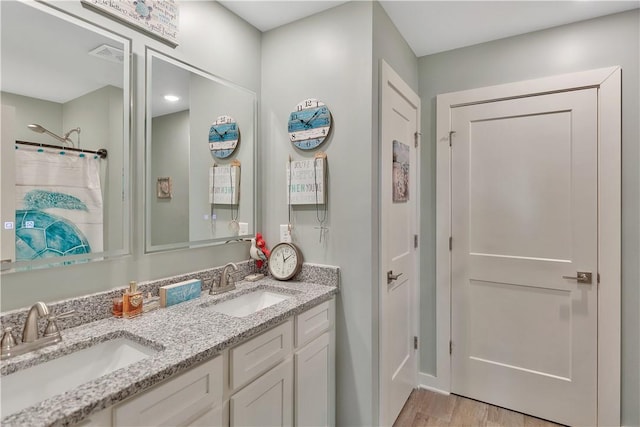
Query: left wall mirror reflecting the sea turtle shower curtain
64,153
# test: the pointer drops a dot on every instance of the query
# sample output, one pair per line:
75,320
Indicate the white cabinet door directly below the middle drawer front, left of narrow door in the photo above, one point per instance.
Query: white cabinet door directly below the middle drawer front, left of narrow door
266,402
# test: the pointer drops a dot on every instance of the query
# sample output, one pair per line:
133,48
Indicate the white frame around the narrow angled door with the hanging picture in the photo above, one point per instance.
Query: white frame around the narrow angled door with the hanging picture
388,76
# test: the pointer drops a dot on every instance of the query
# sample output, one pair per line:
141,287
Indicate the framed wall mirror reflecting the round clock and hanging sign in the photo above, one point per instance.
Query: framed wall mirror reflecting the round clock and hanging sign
201,157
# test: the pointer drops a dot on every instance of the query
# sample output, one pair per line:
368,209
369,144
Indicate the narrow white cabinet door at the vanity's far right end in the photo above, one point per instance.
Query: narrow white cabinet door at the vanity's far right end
314,391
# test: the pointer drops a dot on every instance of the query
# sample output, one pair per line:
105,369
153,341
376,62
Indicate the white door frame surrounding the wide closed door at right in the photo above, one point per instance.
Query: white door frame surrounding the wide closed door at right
608,81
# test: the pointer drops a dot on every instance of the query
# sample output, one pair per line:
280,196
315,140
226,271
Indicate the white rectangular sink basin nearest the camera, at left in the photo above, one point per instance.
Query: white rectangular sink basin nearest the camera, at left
32,385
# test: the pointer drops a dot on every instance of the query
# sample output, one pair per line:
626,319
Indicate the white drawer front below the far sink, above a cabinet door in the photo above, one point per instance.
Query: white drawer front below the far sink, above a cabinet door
259,354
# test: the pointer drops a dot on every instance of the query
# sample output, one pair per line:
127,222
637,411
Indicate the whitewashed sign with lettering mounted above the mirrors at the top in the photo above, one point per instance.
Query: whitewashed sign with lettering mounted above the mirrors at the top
157,18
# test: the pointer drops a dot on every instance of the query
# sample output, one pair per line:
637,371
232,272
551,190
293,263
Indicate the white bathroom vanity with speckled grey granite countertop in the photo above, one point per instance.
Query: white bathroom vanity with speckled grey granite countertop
217,360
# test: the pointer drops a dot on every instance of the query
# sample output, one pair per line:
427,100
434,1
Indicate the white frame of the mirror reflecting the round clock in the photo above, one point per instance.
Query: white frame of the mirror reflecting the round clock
149,184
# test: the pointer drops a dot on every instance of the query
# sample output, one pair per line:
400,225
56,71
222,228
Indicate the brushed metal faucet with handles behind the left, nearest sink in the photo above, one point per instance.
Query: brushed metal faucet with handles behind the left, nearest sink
31,339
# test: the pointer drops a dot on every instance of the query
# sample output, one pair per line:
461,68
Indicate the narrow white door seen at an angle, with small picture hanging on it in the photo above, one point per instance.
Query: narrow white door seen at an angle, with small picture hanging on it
398,297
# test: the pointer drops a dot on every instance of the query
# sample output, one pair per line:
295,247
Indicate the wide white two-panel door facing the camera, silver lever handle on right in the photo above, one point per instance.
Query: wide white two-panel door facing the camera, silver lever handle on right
524,218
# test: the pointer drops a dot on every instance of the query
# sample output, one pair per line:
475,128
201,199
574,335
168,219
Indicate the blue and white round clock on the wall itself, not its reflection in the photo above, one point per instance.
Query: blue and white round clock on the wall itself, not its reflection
309,124
